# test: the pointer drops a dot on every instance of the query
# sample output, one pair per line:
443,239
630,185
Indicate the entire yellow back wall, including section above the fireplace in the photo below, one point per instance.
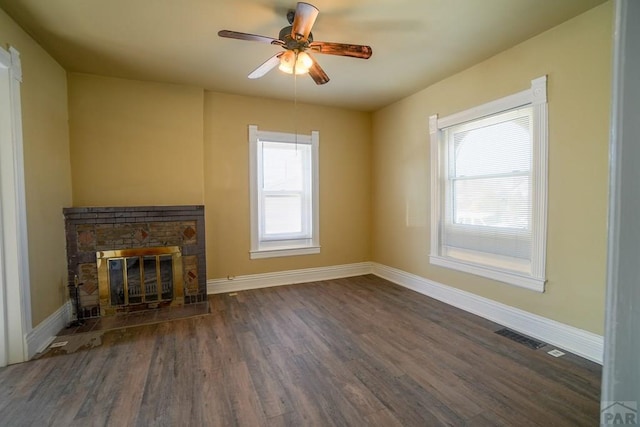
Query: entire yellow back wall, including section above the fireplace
141,143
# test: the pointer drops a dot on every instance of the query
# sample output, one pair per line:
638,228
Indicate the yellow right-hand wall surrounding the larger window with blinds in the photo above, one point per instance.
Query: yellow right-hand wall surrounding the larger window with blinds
576,56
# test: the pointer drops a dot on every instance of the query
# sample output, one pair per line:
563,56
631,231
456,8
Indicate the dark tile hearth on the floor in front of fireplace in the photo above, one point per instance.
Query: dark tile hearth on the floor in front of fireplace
137,318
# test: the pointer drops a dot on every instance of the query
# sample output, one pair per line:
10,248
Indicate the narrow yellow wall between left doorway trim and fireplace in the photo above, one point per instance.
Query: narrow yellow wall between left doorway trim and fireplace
46,166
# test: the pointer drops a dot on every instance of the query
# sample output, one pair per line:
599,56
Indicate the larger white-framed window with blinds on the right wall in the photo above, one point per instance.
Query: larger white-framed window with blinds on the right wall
489,167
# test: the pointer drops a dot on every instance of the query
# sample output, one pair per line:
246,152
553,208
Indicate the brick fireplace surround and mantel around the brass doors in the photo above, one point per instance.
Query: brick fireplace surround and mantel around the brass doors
92,229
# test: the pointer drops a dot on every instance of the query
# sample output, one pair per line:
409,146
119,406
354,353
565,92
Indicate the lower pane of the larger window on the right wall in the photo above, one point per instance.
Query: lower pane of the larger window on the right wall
493,202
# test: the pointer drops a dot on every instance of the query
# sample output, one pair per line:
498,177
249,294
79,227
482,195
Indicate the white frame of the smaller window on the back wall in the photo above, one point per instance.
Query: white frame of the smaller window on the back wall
285,245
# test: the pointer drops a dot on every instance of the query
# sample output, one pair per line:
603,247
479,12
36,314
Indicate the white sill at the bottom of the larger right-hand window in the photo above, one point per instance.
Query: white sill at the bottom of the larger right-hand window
494,273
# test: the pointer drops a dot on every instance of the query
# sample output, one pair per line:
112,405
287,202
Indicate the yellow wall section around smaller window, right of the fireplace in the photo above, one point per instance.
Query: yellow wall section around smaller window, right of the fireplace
345,169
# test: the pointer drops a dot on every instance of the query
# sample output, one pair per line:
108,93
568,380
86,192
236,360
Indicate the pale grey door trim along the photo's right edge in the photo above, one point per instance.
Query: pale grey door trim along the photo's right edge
621,372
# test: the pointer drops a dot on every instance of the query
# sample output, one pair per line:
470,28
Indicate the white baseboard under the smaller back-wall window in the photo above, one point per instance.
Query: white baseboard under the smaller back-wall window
290,277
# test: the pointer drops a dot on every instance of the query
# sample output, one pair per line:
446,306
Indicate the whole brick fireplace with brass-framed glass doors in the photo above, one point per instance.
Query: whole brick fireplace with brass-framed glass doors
128,258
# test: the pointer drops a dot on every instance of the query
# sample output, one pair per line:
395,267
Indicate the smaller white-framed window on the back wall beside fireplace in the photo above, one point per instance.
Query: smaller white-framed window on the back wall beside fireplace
284,193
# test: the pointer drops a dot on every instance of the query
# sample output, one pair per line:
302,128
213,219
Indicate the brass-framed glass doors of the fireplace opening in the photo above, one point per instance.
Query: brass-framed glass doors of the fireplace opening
131,279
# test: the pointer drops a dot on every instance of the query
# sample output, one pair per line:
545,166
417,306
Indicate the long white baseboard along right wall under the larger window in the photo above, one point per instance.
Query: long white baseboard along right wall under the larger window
583,343
